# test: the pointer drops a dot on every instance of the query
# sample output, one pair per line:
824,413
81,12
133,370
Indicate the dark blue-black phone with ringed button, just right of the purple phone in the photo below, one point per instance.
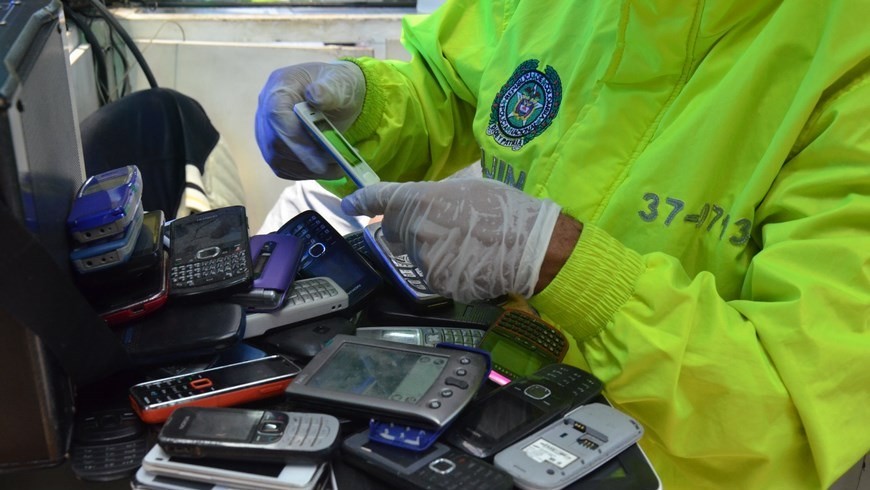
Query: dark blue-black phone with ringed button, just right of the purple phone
327,254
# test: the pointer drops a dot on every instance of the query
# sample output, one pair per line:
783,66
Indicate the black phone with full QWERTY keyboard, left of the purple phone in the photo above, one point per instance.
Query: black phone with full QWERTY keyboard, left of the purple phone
210,254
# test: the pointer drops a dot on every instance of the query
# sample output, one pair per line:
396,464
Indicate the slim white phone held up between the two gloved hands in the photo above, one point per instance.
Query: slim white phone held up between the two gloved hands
333,141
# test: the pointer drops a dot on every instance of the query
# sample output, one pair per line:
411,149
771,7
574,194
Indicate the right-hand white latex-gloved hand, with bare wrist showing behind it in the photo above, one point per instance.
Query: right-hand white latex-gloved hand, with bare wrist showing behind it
473,238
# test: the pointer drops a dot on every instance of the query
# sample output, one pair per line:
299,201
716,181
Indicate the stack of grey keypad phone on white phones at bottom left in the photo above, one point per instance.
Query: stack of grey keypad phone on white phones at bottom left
242,449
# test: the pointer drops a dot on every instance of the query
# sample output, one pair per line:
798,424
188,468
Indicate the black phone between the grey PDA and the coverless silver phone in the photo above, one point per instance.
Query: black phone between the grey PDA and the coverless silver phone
511,412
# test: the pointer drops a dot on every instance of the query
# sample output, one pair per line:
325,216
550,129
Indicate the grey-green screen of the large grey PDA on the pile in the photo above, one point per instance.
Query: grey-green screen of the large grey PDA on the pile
379,373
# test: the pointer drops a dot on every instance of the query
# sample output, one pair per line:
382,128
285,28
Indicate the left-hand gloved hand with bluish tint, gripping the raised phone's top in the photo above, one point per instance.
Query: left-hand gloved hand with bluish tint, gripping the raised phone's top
337,88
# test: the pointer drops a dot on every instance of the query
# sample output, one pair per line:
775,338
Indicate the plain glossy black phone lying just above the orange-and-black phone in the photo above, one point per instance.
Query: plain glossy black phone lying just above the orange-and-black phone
183,331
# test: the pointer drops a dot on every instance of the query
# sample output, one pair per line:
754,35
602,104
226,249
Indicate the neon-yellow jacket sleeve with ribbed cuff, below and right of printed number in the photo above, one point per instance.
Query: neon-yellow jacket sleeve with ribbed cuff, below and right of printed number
777,382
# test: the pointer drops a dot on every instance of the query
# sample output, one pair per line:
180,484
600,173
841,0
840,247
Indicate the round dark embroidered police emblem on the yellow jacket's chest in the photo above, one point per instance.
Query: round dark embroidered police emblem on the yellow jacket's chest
525,106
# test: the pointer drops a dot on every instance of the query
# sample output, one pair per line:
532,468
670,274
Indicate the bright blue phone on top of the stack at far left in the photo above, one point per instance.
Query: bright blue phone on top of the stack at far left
105,204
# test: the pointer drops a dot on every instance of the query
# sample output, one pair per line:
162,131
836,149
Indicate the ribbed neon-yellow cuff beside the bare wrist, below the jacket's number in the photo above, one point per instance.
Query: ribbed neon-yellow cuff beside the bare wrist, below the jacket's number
596,280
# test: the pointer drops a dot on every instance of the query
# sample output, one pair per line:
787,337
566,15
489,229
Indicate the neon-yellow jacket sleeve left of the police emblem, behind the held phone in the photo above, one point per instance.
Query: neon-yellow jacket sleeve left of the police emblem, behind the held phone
417,115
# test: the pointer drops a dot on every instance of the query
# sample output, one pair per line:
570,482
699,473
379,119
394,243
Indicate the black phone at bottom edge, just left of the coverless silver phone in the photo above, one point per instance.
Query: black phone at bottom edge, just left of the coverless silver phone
439,467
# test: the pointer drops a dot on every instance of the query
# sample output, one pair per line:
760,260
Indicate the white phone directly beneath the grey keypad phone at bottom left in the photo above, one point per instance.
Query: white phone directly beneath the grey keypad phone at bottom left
233,473
